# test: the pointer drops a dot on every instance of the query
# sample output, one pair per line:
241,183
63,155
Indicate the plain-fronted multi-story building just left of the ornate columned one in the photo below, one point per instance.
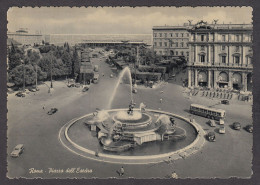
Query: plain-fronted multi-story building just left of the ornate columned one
171,40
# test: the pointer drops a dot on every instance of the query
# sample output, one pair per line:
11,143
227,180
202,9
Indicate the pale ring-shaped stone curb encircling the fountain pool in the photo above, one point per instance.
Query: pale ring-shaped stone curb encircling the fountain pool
182,153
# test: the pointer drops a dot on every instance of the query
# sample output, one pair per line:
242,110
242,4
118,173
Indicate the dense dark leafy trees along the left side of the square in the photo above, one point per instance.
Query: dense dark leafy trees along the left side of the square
45,62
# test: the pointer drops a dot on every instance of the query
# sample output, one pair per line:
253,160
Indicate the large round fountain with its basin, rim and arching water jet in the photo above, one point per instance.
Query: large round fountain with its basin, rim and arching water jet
119,130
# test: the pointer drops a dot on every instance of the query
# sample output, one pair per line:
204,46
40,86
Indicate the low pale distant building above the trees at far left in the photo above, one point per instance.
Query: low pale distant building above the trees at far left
22,36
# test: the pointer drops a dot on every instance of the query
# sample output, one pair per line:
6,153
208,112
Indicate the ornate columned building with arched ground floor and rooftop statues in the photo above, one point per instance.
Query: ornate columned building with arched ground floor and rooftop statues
221,56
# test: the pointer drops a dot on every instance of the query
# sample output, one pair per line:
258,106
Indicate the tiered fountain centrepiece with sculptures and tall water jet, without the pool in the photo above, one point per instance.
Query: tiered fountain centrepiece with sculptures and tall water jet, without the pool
120,130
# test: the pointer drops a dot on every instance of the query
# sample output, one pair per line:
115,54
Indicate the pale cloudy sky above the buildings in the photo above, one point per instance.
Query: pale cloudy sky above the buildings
117,20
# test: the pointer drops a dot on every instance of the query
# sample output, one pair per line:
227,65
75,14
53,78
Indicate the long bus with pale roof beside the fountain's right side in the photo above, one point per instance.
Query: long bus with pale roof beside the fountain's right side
212,113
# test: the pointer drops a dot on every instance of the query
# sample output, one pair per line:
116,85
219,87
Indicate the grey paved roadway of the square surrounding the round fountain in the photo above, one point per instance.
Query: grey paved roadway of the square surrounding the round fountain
29,124
